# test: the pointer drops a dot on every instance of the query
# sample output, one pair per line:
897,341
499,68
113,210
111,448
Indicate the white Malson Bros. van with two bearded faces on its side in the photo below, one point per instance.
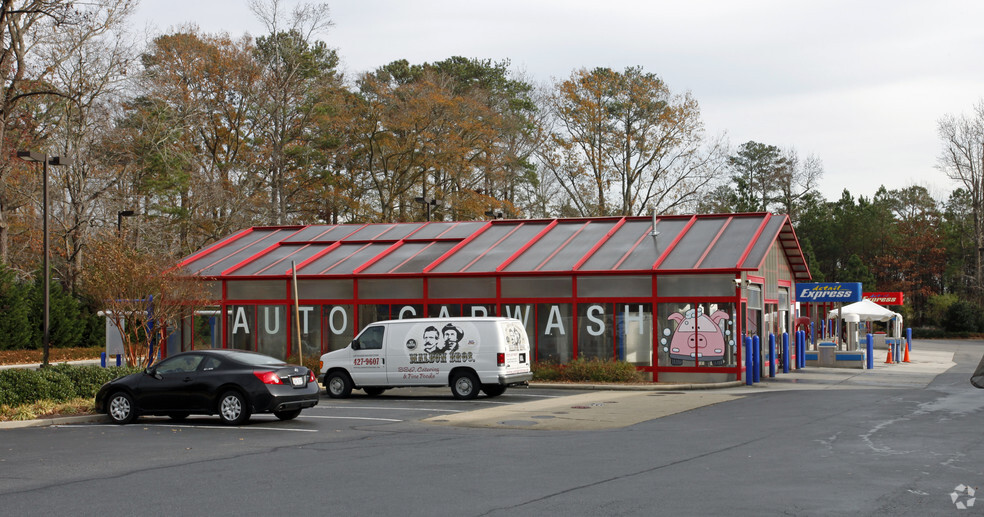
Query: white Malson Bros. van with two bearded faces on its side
468,354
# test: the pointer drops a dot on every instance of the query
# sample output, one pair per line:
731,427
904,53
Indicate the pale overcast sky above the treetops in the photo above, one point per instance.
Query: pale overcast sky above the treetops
859,84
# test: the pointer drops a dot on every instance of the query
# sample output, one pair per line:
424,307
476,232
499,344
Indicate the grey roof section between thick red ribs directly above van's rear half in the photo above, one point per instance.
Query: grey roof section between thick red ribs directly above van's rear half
491,248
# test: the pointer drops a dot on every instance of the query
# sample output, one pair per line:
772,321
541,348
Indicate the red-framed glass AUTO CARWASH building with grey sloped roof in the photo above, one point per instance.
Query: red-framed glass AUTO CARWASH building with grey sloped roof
672,295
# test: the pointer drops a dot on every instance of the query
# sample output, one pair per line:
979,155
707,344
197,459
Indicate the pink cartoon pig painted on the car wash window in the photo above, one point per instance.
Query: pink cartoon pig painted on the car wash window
701,338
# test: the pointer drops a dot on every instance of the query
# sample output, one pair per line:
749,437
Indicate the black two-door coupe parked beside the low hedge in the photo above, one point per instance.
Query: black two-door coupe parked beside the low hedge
231,383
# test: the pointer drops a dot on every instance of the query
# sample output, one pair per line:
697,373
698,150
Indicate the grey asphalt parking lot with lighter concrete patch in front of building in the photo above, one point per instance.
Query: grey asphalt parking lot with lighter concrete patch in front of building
894,441
